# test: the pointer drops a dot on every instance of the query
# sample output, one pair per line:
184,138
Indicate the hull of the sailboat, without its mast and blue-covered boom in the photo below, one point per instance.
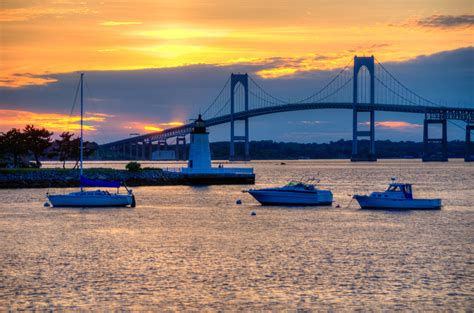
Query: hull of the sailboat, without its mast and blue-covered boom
91,200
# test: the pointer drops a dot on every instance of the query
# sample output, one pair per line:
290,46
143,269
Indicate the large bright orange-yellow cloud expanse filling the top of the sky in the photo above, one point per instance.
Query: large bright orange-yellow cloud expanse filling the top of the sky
67,36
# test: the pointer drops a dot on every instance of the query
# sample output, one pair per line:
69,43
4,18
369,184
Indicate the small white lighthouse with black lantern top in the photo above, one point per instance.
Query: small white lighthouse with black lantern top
199,150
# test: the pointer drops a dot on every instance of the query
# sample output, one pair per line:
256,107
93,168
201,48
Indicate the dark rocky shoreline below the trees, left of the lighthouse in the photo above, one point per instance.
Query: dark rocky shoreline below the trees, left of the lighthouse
45,178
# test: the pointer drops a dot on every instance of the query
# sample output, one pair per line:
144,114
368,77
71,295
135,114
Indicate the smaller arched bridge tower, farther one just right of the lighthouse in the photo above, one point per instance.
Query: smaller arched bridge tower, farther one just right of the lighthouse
234,80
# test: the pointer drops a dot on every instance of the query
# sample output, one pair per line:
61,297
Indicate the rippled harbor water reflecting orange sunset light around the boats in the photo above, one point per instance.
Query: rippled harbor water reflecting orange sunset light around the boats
194,248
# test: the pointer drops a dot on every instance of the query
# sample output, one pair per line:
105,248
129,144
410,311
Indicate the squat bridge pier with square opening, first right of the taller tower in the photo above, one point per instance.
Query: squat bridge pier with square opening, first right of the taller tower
435,149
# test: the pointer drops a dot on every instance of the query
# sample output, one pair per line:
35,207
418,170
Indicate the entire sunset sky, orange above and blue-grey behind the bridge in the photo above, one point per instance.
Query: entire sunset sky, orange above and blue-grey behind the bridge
151,65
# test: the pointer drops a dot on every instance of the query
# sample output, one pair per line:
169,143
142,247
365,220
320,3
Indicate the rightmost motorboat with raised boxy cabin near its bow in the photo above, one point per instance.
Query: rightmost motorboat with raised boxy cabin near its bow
398,196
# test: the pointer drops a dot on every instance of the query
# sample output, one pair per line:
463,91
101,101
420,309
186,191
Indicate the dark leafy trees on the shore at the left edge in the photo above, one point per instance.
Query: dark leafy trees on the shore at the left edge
18,146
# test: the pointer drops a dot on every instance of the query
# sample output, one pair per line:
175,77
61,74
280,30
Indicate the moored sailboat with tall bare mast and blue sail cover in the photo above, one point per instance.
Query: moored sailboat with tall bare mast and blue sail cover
97,198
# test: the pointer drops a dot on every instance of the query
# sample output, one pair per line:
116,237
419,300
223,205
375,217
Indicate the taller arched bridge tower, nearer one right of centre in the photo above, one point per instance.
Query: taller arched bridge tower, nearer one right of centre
359,62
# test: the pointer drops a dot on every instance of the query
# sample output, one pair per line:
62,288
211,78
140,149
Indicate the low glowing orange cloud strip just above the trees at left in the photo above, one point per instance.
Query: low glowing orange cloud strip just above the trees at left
51,121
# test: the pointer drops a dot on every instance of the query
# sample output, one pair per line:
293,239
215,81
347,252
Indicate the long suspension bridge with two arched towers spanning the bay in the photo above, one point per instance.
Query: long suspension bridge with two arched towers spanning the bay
242,98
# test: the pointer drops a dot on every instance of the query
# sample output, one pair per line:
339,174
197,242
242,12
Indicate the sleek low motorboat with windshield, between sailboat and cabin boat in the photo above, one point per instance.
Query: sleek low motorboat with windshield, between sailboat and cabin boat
294,193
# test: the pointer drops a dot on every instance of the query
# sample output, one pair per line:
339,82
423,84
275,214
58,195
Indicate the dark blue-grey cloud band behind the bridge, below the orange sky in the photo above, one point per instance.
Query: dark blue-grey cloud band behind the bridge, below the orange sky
163,95
